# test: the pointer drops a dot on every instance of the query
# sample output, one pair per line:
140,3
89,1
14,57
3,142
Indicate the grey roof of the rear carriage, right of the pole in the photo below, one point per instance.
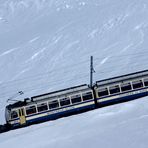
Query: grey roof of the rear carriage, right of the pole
123,78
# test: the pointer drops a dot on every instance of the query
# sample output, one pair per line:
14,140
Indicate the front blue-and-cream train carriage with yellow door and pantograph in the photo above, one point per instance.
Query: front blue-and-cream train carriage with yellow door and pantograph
50,106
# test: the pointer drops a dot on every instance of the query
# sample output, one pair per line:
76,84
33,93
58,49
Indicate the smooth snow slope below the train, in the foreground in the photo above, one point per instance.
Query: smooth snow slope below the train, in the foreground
123,125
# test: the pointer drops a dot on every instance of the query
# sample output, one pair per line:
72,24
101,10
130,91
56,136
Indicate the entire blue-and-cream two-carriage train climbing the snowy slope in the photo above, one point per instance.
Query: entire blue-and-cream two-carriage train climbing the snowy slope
75,100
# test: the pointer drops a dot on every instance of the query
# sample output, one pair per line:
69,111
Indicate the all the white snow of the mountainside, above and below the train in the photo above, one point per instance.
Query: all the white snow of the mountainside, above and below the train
45,45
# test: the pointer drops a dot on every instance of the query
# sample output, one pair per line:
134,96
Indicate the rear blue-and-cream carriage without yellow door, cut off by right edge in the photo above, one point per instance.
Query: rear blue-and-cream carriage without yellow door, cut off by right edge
123,88
